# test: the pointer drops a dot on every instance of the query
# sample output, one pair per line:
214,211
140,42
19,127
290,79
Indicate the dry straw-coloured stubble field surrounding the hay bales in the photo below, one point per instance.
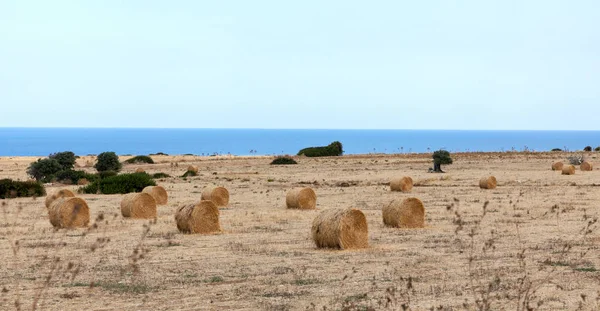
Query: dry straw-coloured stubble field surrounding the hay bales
537,241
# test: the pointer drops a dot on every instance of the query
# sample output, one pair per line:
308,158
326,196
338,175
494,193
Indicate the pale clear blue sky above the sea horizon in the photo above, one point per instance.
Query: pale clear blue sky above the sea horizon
302,64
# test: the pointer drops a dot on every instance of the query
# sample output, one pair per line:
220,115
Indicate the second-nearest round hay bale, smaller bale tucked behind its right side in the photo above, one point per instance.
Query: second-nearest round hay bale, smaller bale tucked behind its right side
202,217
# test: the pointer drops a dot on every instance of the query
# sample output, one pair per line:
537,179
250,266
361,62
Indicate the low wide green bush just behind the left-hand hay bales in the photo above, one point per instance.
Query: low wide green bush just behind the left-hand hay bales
124,183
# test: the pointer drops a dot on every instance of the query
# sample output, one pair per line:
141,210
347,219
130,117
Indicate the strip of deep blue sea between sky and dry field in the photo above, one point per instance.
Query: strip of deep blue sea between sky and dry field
138,141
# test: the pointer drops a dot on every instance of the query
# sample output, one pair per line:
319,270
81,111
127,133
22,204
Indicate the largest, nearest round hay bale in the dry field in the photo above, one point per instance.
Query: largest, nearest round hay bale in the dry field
340,228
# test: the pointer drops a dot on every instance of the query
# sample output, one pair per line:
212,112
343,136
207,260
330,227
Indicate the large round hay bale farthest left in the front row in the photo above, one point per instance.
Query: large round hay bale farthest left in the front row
69,212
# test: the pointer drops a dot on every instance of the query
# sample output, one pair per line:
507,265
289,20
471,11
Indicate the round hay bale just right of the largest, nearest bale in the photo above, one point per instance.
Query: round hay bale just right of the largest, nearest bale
407,213
